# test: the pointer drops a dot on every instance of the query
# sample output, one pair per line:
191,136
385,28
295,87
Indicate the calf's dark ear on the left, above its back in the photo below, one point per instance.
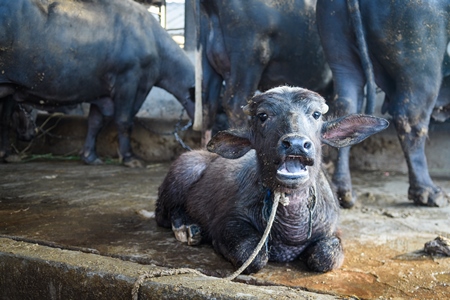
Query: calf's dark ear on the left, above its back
230,143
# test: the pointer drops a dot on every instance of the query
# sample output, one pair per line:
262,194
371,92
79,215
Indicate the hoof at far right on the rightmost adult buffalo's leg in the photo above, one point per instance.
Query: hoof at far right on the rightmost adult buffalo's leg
432,197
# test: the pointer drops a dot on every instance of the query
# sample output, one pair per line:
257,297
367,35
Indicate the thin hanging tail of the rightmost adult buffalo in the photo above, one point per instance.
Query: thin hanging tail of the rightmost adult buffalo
355,16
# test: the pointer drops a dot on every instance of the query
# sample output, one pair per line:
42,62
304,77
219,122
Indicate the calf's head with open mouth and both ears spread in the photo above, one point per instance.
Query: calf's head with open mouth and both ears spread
286,130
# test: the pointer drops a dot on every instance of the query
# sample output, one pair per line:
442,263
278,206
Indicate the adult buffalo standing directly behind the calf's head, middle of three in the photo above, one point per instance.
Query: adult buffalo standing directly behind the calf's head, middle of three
257,44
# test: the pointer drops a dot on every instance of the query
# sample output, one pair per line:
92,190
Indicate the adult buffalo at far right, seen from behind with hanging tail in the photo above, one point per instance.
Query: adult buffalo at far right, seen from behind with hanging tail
405,42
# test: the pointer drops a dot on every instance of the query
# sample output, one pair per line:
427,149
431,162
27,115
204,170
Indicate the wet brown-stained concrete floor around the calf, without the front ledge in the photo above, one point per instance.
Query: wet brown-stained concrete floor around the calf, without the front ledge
103,209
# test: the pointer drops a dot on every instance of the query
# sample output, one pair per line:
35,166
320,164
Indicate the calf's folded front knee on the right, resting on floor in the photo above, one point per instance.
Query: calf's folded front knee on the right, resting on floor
325,255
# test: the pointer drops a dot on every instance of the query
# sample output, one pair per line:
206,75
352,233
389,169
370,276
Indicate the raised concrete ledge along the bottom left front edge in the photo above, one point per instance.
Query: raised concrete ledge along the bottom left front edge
31,271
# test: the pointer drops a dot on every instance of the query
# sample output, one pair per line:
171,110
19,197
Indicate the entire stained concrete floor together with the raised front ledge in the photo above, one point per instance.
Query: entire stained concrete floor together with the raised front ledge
74,231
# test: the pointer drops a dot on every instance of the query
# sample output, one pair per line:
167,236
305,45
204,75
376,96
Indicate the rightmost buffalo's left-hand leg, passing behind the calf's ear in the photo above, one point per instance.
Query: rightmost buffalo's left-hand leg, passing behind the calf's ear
337,37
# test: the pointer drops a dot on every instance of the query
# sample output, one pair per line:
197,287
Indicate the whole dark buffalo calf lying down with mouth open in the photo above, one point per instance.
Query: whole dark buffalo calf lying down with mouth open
225,197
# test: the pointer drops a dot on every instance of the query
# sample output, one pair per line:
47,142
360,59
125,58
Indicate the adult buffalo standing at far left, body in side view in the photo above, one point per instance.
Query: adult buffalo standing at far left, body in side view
109,53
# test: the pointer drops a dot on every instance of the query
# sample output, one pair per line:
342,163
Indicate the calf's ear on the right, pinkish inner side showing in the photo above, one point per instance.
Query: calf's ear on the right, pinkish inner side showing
351,129
